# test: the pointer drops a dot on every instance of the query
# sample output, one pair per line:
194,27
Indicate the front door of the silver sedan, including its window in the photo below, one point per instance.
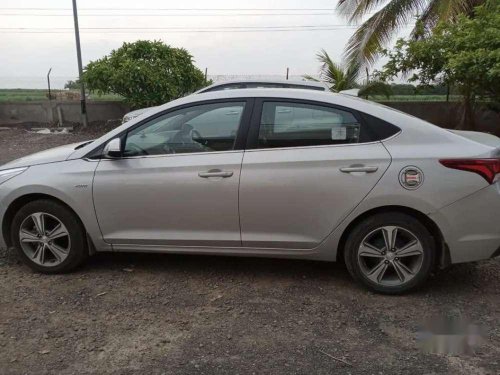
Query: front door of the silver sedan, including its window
177,182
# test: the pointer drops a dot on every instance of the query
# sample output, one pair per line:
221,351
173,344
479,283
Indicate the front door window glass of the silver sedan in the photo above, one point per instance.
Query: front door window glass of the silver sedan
203,128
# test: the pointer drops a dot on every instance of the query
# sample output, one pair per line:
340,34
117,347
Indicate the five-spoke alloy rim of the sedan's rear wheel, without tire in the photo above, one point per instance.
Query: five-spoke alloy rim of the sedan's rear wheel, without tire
390,256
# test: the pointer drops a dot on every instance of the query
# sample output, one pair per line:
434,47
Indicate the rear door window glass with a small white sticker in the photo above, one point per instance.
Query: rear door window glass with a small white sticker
294,125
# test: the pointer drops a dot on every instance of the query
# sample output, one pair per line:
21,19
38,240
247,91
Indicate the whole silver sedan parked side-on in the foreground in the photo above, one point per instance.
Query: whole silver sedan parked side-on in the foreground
263,172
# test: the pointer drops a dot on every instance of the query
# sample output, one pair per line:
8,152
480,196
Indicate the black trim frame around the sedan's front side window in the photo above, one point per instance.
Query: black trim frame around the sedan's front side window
239,144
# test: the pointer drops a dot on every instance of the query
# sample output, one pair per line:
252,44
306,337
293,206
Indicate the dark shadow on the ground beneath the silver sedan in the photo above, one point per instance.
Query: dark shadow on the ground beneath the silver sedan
454,280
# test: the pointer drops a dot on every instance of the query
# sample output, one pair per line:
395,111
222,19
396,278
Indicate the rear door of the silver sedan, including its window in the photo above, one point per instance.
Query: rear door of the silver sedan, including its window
306,168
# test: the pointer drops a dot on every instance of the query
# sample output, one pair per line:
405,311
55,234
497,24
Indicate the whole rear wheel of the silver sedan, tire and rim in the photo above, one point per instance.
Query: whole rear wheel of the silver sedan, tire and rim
390,253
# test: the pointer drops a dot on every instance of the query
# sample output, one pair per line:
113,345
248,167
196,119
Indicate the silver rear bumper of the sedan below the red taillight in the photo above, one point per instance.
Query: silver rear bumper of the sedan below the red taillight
471,226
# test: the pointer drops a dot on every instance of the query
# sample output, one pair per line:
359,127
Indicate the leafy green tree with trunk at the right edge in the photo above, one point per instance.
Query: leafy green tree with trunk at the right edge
465,54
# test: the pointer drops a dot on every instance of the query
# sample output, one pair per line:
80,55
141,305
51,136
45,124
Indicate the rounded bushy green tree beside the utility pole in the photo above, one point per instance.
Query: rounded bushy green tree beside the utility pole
145,73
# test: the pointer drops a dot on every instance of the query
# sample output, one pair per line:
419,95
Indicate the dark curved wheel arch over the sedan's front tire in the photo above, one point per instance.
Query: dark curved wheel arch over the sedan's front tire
21,201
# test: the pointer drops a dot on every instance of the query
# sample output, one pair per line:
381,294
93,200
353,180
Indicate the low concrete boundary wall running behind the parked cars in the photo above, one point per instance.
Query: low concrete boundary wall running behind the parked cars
440,113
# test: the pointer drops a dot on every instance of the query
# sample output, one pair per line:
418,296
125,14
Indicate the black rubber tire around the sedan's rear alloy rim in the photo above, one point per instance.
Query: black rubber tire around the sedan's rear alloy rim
356,266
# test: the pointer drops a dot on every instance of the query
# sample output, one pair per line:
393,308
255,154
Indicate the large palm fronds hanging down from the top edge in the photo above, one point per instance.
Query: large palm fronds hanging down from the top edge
378,30
